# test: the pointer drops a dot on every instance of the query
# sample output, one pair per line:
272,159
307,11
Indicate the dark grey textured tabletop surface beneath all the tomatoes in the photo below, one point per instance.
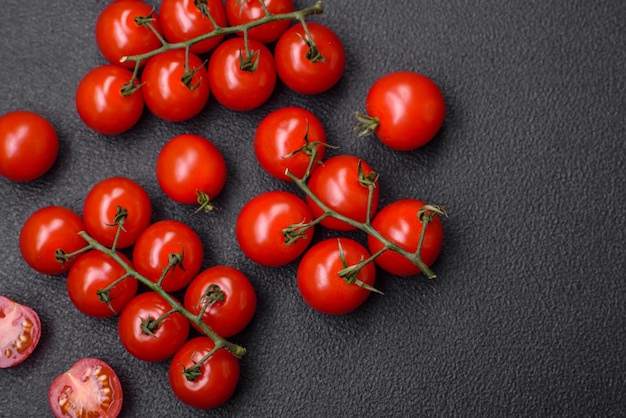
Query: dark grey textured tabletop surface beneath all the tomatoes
527,317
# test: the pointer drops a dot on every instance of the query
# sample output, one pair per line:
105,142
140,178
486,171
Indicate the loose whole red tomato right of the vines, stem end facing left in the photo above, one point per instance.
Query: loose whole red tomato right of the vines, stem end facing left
410,109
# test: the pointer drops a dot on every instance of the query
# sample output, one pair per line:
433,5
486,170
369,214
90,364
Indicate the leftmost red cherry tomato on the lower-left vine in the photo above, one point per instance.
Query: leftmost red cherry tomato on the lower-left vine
47,230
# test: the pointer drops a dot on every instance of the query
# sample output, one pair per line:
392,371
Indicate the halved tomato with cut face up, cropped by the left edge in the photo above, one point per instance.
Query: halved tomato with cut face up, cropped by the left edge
20,330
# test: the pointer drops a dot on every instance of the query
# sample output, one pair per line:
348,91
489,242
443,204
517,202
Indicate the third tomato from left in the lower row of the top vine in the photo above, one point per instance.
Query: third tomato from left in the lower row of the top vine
236,88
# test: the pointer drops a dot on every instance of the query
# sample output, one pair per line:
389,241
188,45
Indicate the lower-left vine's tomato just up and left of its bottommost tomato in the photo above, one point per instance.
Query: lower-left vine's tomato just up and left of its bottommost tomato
146,338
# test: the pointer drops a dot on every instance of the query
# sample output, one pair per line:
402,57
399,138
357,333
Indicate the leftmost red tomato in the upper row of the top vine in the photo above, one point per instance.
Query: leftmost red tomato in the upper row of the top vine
119,35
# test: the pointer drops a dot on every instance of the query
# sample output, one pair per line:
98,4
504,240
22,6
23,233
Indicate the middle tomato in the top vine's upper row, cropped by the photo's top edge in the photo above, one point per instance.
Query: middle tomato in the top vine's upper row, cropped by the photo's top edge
183,20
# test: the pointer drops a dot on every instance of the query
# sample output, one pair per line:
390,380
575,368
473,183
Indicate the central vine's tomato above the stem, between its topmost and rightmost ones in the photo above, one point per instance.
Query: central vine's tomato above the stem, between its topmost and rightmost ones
337,184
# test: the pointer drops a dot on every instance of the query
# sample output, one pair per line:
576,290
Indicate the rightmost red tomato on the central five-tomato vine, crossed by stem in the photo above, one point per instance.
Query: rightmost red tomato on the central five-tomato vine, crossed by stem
399,223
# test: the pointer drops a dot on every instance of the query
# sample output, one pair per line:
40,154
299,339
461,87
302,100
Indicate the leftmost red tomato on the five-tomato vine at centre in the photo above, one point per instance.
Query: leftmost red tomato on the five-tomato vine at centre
261,223
